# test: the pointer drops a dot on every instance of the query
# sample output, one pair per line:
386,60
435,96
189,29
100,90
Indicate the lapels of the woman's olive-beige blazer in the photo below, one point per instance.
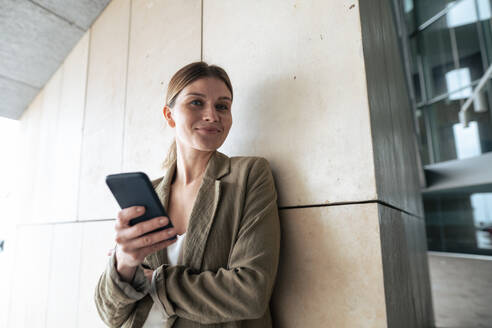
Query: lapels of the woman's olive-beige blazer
204,208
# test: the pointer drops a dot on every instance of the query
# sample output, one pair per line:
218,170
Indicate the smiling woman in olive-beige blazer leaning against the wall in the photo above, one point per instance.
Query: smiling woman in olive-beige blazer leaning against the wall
222,268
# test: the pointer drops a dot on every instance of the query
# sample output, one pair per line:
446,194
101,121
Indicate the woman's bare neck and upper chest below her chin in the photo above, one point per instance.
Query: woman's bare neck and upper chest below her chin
190,165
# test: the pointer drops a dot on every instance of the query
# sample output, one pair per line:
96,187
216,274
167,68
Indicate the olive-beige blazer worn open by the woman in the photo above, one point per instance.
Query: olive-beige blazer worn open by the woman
227,270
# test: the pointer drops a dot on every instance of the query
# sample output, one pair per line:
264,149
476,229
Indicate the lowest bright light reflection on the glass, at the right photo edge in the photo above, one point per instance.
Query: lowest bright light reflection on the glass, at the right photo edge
482,216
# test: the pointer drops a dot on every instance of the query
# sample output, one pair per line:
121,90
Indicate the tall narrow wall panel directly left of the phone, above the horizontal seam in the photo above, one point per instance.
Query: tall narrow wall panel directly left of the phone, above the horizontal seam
104,114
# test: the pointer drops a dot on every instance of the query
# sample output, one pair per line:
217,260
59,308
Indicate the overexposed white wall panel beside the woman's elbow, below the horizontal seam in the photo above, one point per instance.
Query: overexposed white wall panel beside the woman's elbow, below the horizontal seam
97,239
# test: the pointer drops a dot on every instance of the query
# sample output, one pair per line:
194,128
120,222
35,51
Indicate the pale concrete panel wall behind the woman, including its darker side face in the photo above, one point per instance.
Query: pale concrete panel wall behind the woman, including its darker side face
304,99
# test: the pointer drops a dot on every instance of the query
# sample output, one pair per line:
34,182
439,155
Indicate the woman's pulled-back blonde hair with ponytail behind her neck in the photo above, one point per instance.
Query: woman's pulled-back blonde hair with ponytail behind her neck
184,76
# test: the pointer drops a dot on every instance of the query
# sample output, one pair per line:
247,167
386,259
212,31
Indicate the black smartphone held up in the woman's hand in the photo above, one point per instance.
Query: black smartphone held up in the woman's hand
135,189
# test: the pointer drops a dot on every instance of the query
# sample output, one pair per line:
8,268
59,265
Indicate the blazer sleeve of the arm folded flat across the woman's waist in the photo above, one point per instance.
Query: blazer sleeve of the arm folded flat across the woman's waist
242,290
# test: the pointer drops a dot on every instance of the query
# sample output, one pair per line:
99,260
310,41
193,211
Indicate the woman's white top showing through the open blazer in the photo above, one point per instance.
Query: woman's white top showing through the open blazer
157,316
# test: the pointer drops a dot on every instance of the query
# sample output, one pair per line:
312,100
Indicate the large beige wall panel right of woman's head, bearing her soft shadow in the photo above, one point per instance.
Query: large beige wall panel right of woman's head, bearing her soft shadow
300,93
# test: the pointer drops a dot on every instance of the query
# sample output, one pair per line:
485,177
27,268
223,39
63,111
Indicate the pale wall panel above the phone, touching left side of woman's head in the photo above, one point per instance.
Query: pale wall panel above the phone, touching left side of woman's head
158,48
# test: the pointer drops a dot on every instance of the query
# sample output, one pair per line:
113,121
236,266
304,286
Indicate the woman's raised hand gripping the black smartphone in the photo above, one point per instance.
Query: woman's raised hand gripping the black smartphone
132,245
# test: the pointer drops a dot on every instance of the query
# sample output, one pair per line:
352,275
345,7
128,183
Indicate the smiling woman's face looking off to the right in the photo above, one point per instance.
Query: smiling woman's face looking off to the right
202,114
